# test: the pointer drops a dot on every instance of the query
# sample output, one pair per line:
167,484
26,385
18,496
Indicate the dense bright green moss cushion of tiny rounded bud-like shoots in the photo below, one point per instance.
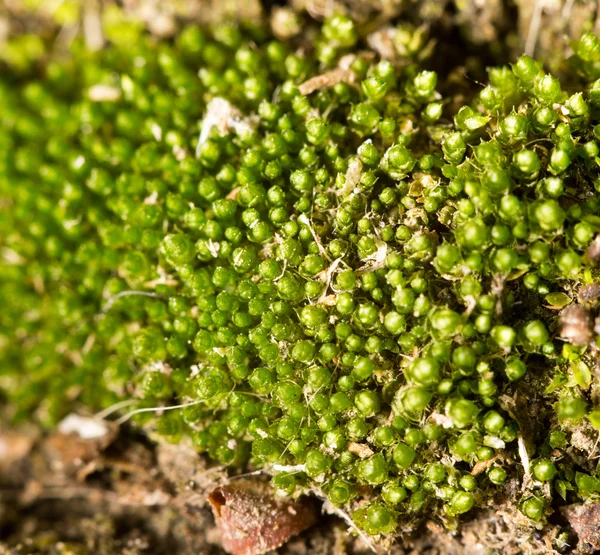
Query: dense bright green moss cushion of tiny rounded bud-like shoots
344,281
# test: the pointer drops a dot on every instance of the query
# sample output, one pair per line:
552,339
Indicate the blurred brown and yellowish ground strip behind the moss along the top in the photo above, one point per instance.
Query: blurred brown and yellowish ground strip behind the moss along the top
497,30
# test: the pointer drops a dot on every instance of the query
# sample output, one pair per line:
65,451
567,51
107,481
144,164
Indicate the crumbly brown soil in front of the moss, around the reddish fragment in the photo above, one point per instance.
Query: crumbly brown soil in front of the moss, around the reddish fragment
121,493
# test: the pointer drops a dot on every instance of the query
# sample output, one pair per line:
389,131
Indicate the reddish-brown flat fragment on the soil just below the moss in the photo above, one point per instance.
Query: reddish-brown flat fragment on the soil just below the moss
252,521
